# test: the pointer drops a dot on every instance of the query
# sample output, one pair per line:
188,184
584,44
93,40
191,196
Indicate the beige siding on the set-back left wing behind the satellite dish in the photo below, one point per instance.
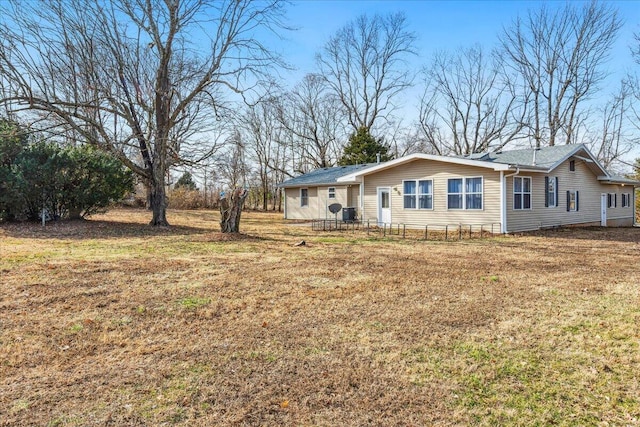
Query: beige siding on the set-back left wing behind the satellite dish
319,201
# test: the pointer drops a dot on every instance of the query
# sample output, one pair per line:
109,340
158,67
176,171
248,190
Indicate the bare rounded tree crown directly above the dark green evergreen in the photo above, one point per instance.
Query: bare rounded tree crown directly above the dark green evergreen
364,64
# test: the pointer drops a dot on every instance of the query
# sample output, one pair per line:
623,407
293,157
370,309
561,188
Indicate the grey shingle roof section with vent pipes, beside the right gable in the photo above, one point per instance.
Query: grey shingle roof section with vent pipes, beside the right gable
545,157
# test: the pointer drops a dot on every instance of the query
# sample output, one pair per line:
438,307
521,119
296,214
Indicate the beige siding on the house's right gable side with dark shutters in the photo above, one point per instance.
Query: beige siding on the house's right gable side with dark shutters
582,180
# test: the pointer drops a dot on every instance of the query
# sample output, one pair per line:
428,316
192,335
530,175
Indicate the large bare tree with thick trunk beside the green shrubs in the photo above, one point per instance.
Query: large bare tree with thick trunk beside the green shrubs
128,76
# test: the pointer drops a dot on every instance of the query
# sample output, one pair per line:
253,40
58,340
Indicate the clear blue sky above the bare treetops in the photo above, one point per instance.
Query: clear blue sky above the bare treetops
439,25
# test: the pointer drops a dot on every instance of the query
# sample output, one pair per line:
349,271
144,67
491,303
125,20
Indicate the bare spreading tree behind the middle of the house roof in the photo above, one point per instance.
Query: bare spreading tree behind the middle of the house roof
469,104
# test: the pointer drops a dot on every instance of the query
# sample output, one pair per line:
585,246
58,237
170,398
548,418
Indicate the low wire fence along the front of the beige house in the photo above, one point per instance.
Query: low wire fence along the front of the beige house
444,232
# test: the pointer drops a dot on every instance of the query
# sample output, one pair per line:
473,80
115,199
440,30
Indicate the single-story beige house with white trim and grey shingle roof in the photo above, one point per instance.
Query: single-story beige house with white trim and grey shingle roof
520,190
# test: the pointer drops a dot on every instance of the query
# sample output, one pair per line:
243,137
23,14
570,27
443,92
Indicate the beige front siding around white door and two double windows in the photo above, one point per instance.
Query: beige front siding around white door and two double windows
439,172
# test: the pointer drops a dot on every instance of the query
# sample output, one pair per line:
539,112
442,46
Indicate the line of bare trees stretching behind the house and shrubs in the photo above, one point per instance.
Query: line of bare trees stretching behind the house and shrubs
129,78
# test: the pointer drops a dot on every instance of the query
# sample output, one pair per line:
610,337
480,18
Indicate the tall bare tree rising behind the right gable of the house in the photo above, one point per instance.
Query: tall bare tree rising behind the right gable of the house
559,57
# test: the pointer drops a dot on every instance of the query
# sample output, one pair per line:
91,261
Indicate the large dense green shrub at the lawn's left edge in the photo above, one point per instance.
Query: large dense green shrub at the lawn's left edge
71,182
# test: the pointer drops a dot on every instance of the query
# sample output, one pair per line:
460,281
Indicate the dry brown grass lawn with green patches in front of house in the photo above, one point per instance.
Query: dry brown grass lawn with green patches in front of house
111,322
